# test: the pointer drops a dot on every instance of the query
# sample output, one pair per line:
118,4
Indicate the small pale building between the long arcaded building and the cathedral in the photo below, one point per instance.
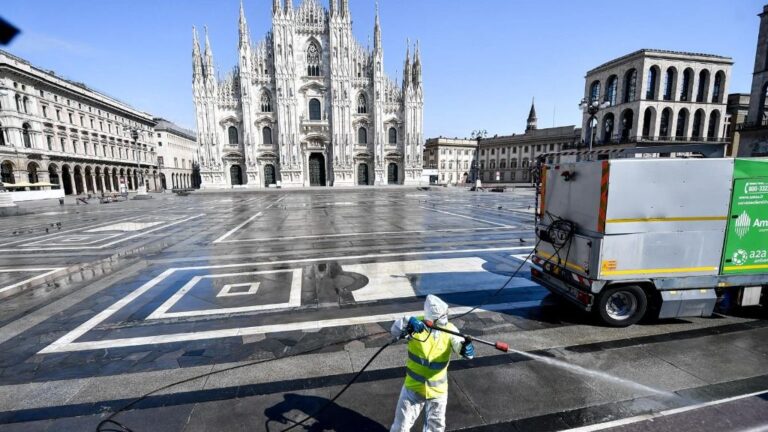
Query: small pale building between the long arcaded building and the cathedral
177,155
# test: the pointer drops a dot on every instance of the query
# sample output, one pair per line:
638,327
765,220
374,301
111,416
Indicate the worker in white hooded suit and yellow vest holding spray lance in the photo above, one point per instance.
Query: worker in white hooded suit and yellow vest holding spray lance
426,380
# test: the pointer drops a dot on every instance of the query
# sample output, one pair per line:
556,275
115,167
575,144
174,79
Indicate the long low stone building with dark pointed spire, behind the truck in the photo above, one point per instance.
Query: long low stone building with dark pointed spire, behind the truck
508,158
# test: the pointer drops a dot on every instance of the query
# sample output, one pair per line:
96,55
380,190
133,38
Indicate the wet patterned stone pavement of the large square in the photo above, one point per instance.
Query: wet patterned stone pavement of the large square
295,290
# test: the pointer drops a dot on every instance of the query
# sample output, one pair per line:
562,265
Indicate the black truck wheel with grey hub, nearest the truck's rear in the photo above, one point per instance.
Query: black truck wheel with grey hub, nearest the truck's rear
622,306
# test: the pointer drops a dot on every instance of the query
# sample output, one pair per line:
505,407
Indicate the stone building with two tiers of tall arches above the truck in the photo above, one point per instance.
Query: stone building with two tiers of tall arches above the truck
657,97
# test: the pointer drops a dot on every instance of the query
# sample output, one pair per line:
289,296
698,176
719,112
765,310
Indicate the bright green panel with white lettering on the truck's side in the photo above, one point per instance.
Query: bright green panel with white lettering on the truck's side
746,241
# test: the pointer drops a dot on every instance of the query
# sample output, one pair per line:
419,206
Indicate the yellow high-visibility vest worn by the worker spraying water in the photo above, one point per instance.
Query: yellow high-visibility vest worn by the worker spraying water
427,365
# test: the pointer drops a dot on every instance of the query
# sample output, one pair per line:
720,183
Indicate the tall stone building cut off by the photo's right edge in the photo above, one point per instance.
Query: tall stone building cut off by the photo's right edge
752,134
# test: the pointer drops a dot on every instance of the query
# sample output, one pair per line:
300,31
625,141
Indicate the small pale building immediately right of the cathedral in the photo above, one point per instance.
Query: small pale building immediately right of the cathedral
453,158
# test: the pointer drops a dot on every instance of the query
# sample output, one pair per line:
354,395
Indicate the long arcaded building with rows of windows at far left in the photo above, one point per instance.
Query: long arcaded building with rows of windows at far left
58,131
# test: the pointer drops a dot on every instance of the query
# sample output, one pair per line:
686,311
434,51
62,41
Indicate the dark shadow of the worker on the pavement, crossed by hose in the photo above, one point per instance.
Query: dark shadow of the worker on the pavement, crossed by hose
333,418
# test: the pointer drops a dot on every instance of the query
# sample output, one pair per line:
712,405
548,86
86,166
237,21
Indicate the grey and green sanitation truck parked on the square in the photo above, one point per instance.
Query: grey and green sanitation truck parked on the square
624,238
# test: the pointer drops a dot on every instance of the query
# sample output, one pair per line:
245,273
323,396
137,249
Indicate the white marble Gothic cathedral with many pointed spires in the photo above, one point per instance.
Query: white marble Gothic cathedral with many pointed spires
307,105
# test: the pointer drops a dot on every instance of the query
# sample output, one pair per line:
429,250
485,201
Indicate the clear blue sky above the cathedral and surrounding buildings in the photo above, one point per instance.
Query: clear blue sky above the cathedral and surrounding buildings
483,60
